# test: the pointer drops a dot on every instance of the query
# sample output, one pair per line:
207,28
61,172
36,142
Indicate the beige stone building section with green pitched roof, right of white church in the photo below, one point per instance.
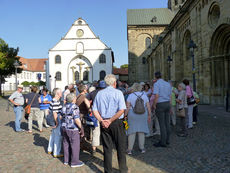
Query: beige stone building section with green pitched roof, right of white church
144,27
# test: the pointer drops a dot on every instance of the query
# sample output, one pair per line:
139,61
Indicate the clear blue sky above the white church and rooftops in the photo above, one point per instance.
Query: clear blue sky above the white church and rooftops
35,26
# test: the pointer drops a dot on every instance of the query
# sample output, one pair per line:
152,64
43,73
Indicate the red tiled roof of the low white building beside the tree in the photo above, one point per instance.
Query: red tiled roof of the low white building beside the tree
35,65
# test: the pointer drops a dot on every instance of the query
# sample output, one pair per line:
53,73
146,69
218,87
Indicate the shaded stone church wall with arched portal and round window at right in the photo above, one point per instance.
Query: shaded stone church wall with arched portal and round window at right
207,23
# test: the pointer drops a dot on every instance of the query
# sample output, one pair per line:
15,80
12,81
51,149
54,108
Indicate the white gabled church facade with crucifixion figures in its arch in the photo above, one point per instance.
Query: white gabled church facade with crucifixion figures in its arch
79,56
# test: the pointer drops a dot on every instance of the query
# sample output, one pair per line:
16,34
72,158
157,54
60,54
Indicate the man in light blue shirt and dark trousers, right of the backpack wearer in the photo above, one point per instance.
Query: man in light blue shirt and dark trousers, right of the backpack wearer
162,91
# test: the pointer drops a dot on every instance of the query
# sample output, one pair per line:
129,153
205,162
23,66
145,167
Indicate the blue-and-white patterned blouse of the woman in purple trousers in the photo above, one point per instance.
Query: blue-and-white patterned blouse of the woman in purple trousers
67,119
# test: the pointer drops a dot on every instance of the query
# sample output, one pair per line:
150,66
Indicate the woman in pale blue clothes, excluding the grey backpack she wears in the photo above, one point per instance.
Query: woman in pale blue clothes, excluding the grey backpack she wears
138,123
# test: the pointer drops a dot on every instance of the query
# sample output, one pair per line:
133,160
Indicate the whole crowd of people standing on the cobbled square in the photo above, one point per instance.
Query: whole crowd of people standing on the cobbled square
110,103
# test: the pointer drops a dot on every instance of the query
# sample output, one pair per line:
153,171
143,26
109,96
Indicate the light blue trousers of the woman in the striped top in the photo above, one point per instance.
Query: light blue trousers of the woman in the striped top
55,142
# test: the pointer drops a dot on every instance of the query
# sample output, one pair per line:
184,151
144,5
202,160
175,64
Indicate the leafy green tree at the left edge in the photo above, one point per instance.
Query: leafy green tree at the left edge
8,56
